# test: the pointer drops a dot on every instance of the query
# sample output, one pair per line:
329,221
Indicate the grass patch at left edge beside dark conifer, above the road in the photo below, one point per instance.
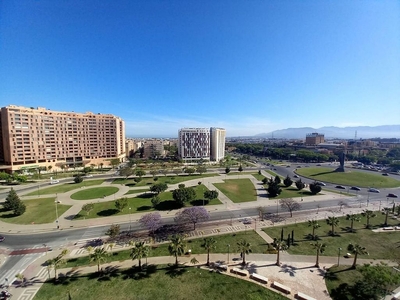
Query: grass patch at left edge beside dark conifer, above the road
38,211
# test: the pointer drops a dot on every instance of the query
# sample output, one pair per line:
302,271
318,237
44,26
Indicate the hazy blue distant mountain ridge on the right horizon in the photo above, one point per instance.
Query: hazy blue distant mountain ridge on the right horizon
363,132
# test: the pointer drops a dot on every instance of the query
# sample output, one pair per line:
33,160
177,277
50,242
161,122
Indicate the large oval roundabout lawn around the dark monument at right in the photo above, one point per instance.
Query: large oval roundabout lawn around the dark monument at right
350,177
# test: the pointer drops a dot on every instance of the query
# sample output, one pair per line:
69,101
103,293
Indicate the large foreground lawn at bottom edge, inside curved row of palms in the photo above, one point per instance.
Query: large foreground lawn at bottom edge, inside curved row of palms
156,282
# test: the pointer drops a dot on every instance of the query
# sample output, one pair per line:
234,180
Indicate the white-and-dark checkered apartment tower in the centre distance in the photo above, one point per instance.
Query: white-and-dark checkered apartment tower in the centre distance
201,144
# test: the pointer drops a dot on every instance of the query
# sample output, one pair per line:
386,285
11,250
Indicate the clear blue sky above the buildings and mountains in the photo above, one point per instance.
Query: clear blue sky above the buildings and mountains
248,66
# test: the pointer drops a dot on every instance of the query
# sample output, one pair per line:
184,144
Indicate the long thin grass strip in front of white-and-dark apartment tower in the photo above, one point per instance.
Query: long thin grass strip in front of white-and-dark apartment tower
148,181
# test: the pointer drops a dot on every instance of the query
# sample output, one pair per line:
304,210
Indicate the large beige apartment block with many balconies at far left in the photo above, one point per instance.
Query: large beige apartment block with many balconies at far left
39,137
